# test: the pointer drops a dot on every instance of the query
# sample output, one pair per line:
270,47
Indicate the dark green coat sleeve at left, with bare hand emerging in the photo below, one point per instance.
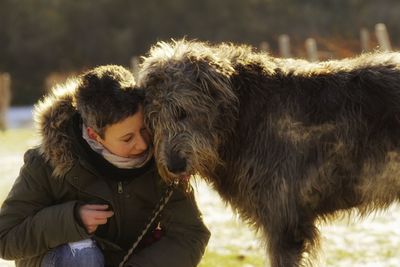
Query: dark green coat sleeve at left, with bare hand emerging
30,221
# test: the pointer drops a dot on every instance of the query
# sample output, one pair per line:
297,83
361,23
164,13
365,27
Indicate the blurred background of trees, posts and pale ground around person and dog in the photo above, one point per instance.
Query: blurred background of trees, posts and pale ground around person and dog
42,42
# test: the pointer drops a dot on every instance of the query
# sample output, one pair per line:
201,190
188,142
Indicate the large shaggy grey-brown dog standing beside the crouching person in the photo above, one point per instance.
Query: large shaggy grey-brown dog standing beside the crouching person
285,142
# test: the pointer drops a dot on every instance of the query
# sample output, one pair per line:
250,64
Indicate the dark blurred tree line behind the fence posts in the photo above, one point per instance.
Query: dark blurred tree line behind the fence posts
41,36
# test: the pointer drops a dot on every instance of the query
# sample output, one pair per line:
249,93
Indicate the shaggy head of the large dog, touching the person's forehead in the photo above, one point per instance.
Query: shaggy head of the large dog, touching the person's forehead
188,94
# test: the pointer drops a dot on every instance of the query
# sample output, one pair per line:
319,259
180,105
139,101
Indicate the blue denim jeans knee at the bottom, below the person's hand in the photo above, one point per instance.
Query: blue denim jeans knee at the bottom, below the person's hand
83,253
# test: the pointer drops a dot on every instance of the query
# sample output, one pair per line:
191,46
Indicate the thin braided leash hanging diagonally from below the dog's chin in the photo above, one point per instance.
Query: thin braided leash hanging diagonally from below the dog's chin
160,206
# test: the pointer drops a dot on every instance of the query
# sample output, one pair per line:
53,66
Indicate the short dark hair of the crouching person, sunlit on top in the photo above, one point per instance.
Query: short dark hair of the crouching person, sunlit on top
107,95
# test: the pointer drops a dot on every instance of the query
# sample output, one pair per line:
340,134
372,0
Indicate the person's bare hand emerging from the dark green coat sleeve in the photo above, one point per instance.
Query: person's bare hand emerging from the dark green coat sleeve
93,215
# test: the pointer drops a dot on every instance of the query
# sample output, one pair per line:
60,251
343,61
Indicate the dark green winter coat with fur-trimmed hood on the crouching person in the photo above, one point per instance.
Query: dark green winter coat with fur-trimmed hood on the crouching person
62,173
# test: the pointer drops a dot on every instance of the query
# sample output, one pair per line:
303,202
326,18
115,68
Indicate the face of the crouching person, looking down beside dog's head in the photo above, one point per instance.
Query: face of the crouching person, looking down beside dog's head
127,138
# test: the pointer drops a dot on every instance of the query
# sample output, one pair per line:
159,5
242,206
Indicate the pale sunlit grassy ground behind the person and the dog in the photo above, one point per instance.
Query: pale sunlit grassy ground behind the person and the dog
370,242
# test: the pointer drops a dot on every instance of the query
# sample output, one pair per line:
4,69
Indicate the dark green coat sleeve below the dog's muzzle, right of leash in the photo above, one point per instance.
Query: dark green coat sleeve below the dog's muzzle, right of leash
185,240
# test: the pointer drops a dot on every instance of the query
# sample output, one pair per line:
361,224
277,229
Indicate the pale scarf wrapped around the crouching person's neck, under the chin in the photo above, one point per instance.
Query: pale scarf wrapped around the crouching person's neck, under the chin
120,162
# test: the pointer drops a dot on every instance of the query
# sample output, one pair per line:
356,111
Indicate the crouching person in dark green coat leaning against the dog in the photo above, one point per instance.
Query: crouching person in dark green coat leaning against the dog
86,192
